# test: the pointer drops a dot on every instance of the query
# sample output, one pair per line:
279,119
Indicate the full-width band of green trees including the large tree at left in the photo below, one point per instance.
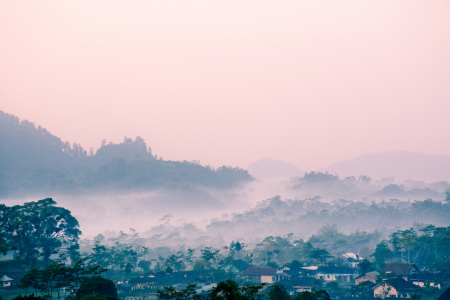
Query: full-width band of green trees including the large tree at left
40,233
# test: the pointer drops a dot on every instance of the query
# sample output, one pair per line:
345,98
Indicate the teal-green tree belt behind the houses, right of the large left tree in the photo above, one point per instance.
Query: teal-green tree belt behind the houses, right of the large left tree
428,249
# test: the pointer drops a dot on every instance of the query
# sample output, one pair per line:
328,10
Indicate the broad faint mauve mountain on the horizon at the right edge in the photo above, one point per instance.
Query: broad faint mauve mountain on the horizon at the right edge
401,165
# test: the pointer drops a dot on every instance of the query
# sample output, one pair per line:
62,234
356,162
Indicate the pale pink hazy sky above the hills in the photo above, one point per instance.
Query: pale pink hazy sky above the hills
229,82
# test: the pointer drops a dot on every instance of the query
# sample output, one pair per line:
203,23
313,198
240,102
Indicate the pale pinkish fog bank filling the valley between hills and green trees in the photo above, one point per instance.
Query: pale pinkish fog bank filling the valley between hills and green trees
196,216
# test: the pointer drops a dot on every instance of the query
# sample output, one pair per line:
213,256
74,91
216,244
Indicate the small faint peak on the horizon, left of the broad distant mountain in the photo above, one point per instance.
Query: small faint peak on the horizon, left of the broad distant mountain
268,168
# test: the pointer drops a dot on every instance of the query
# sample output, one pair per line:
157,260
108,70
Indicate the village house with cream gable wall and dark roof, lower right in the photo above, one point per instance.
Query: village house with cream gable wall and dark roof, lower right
394,288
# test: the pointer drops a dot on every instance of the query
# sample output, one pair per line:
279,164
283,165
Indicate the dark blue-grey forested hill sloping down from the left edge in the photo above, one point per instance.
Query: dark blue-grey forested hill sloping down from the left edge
33,160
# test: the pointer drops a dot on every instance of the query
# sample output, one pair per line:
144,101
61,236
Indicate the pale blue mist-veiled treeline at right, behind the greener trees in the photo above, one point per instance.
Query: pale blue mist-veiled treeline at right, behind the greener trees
306,216
